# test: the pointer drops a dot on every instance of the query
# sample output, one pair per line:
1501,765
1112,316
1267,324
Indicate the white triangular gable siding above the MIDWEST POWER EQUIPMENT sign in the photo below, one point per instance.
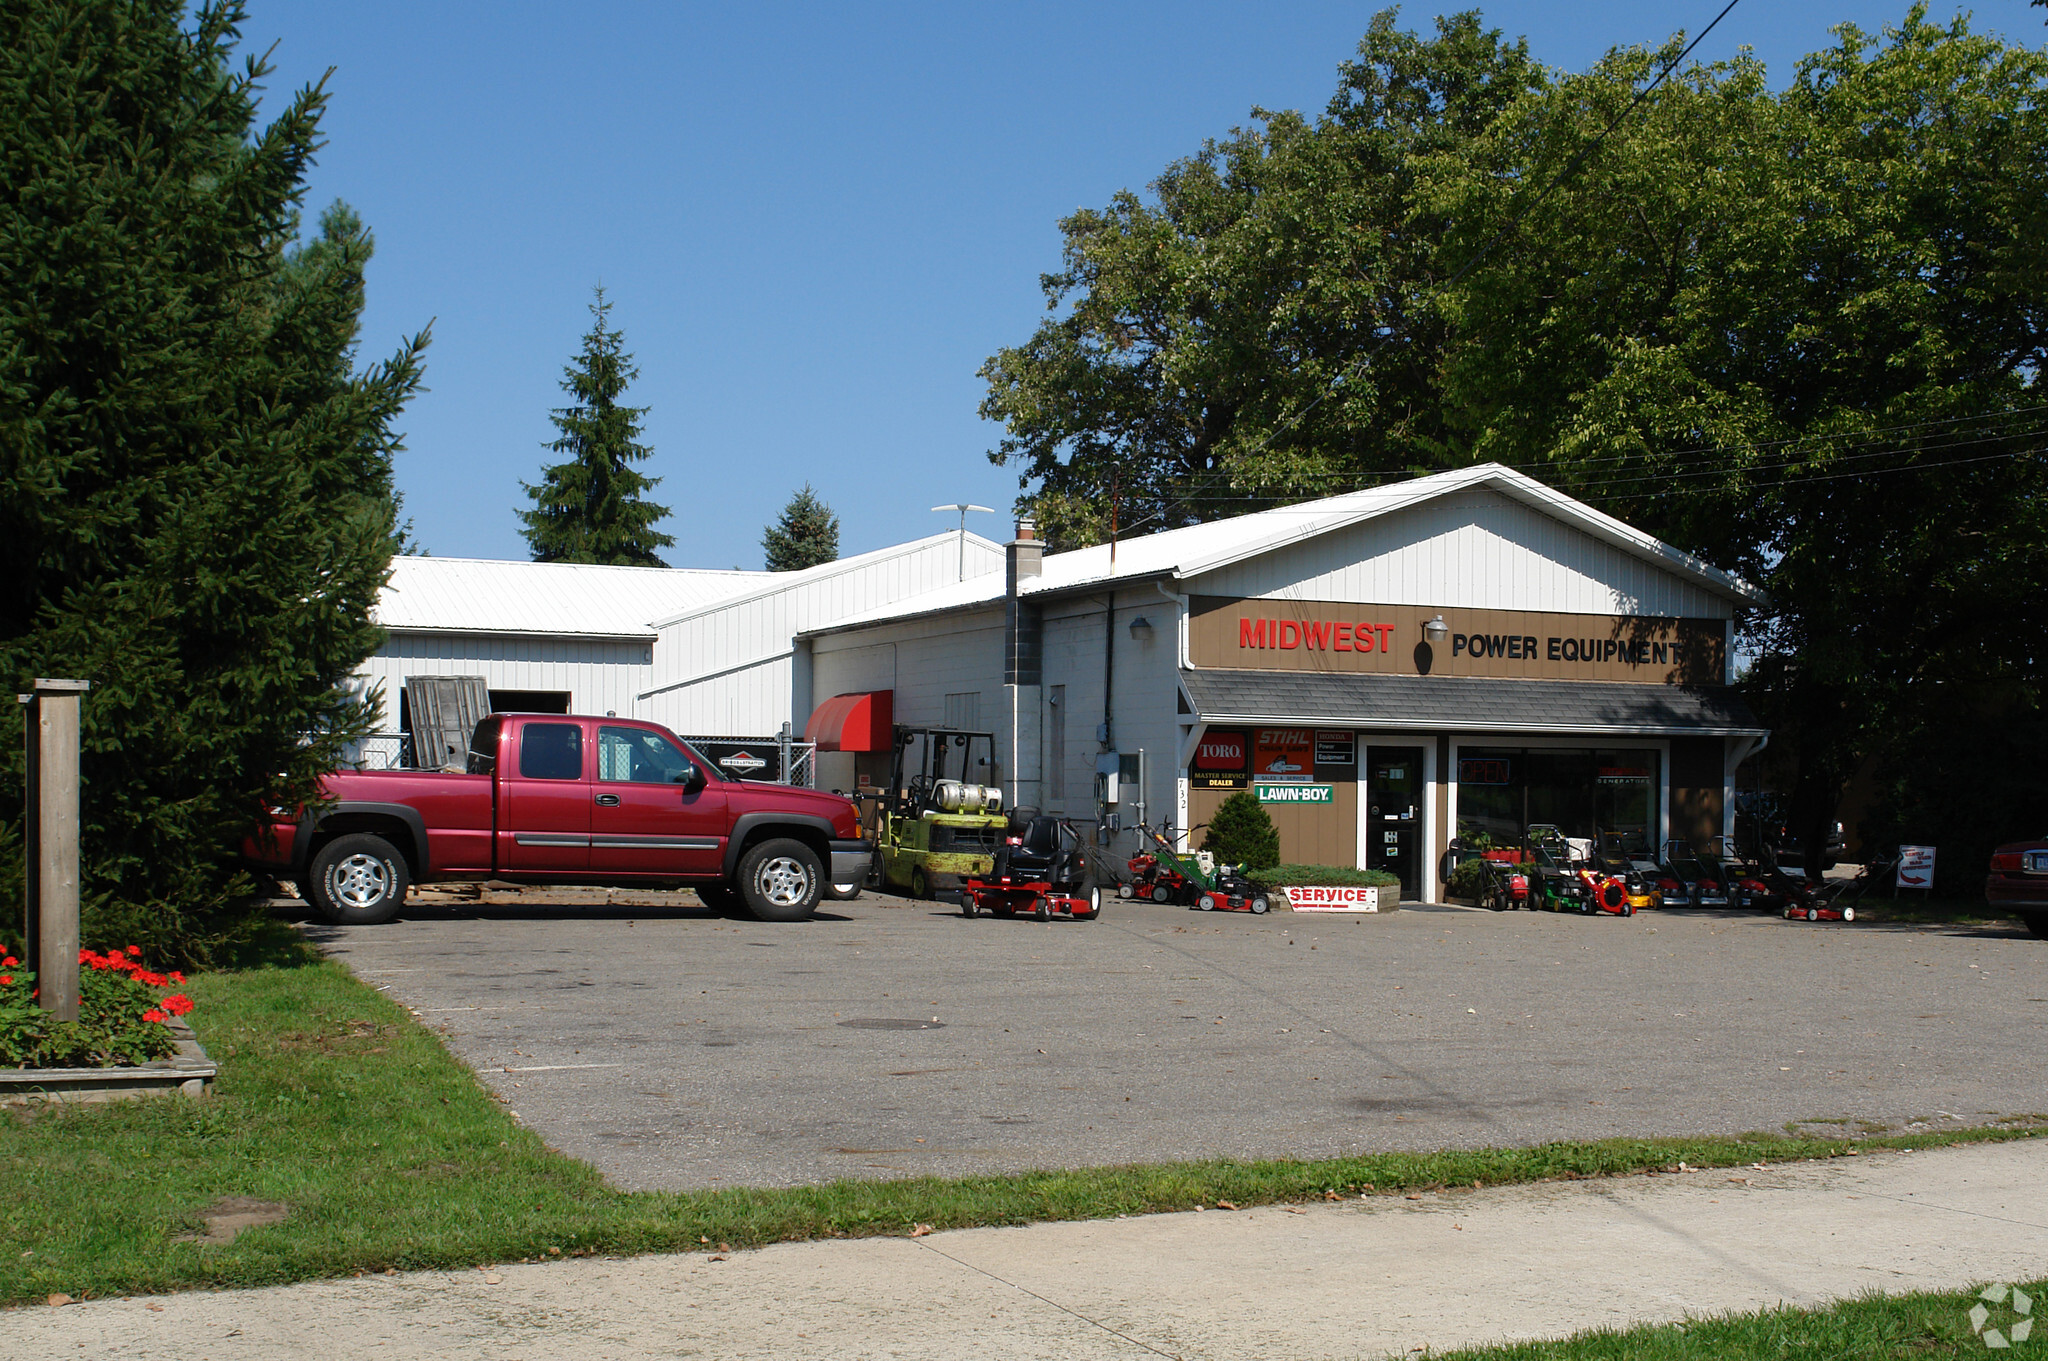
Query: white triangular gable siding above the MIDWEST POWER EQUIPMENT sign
1474,550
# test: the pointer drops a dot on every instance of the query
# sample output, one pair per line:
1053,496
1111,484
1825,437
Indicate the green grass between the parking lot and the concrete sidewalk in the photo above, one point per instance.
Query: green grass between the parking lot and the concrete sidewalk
390,1153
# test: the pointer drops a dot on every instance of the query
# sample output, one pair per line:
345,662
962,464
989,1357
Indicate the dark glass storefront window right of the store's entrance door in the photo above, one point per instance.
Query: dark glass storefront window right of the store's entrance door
1582,791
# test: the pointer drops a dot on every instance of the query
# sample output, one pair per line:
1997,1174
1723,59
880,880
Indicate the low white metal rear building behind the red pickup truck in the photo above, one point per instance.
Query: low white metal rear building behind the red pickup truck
703,652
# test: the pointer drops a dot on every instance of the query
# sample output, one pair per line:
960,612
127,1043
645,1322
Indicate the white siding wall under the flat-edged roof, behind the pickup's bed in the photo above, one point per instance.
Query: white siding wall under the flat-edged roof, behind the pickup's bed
601,676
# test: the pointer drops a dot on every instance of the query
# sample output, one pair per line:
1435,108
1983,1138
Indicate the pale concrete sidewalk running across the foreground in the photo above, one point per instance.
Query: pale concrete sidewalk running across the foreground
1332,1280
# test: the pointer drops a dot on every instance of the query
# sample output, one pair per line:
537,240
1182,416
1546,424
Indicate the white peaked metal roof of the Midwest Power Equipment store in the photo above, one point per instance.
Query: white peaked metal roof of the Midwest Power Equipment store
1203,547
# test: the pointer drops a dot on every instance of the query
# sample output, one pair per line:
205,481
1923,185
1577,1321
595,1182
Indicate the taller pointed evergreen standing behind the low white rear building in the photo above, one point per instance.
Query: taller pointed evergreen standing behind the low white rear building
591,507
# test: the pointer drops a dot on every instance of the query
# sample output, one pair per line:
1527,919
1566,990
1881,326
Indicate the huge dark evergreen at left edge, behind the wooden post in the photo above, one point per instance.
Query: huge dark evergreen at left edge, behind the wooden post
196,478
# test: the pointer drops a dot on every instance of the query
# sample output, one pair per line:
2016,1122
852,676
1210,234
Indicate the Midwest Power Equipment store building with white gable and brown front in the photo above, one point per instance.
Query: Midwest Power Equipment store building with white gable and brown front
1455,652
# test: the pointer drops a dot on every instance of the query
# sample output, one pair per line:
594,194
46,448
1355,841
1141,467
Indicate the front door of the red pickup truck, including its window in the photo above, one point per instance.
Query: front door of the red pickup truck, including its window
642,816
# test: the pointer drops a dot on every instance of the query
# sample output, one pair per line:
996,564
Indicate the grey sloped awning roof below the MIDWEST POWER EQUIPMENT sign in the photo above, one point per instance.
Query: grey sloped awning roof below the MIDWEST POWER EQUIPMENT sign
1467,703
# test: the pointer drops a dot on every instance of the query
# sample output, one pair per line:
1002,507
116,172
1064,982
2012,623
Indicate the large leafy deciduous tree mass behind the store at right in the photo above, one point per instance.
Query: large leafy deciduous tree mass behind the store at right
1797,333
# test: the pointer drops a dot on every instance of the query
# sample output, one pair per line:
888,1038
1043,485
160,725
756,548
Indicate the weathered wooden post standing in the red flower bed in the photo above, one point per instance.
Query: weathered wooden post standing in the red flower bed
52,842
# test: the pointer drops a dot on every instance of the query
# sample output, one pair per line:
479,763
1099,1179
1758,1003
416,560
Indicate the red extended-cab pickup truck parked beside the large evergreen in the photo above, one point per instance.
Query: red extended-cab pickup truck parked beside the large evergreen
566,801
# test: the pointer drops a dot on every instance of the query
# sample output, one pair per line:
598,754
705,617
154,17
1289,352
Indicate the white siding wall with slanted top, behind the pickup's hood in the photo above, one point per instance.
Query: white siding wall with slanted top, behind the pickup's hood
728,668
